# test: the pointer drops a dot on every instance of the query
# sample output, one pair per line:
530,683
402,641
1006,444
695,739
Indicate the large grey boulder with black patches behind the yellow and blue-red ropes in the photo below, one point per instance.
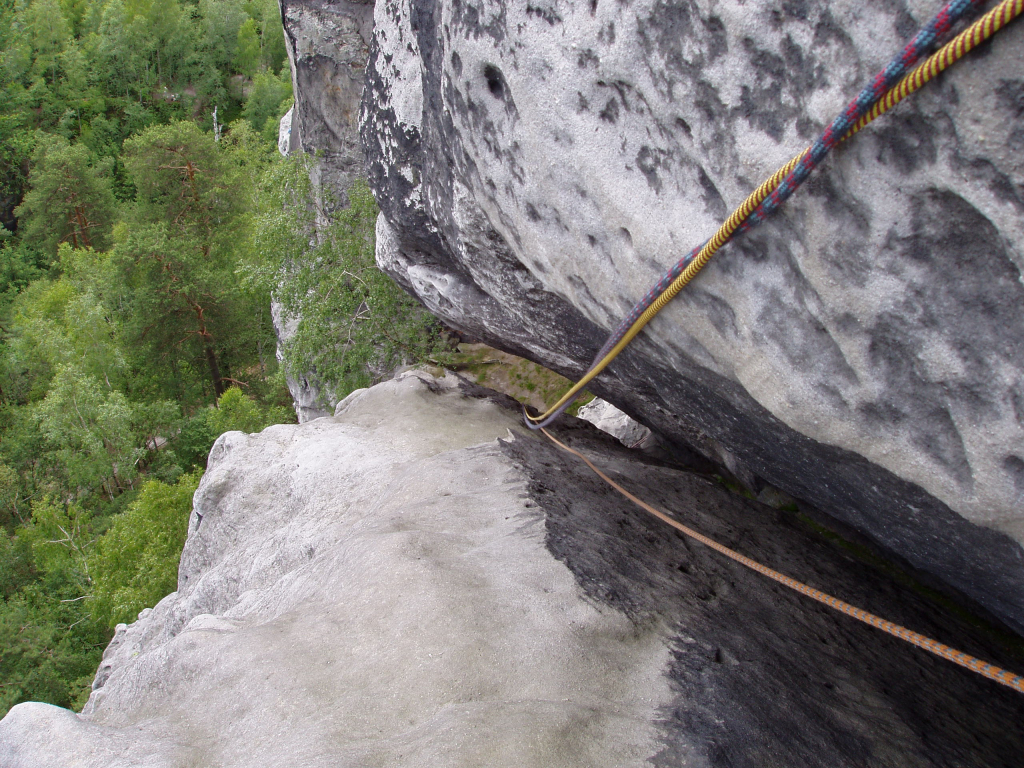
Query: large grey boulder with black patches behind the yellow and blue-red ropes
539,166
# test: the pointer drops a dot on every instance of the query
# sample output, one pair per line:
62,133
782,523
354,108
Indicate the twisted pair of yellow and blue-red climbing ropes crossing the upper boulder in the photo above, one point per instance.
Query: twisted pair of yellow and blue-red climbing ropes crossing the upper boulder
887,90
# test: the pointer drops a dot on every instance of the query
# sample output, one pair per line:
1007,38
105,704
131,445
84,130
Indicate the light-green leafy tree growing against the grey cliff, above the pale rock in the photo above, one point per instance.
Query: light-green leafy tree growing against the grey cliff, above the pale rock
355,325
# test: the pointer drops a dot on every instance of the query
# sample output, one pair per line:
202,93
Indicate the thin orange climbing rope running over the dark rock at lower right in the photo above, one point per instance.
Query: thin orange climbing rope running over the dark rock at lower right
957,657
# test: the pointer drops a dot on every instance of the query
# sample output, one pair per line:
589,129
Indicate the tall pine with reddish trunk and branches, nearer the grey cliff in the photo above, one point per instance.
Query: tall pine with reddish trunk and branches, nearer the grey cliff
179,257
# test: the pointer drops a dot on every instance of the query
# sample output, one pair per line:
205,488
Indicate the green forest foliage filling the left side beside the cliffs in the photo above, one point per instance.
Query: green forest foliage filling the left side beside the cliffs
140,250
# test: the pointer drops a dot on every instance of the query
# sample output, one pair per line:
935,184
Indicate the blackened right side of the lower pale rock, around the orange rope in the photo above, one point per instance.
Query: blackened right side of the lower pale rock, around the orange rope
760,675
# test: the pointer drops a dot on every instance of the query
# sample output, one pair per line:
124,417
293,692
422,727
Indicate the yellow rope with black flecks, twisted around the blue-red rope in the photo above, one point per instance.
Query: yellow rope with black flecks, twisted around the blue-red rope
976,34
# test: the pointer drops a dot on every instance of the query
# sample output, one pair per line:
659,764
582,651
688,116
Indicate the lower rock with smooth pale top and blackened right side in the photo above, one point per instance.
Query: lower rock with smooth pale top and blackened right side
421,582
